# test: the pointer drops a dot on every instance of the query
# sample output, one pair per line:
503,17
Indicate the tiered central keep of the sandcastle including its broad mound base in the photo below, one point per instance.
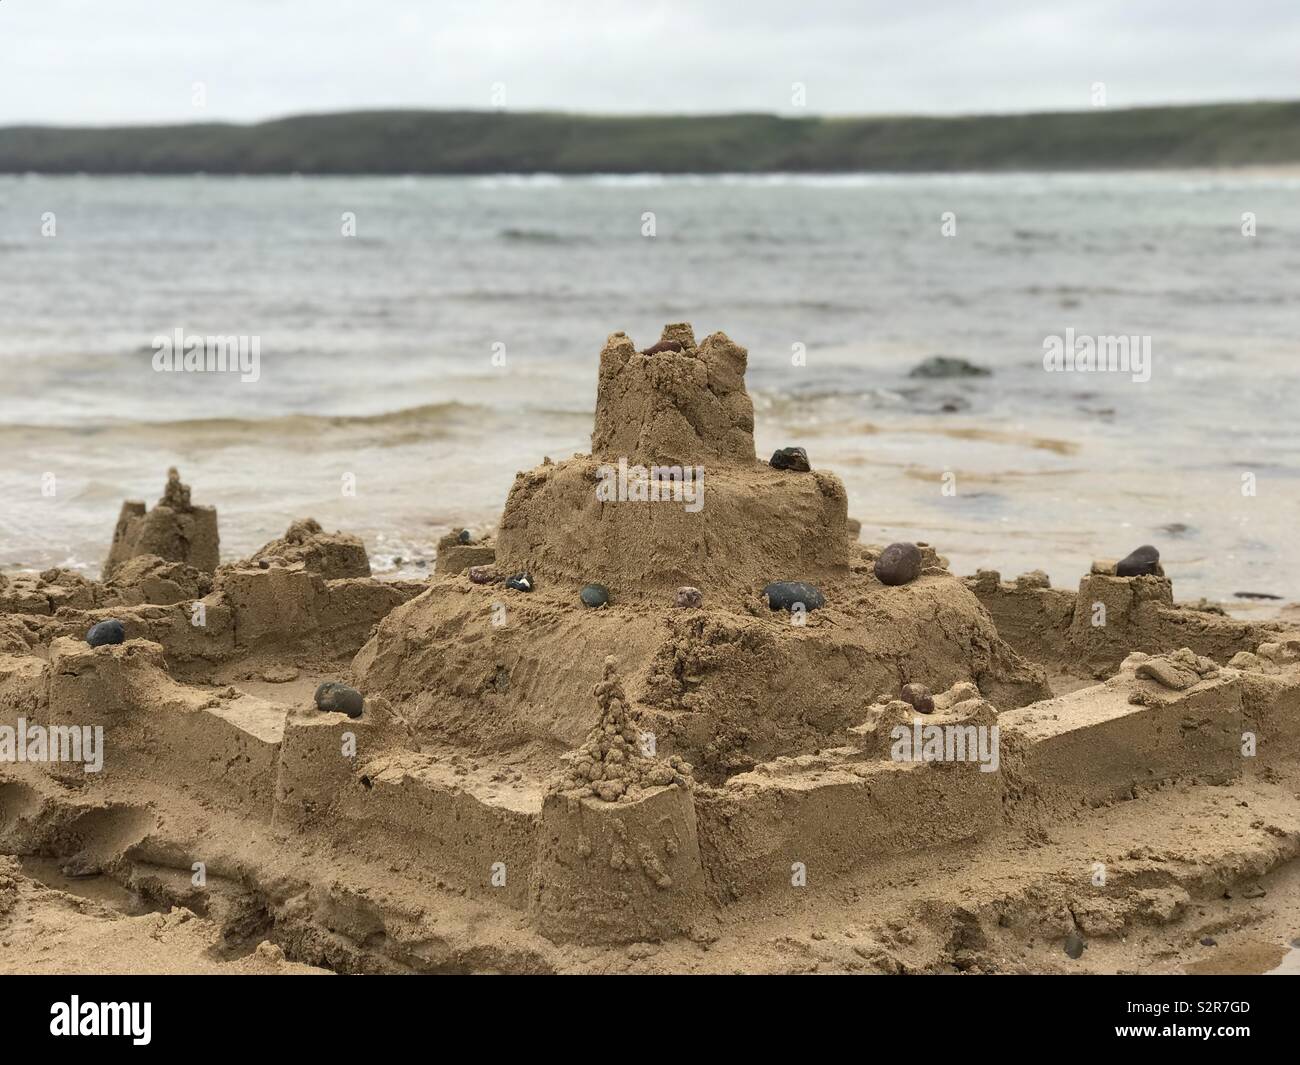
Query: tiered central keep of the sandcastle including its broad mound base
726,685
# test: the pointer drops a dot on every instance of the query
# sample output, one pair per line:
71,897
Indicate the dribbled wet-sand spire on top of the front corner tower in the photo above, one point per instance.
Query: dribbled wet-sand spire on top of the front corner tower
612,765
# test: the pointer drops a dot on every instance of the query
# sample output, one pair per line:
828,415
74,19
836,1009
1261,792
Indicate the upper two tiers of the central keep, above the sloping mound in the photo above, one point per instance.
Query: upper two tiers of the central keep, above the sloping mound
673,492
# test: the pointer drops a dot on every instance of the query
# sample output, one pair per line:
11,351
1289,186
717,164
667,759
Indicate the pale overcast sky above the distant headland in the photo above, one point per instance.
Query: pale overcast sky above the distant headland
127,62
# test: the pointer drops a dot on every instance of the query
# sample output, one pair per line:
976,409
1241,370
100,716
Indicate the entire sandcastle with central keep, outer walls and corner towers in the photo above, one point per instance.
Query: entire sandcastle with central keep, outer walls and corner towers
535,785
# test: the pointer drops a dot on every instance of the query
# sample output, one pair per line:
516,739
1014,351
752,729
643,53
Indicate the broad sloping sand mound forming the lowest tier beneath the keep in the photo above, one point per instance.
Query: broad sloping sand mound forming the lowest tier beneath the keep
725,687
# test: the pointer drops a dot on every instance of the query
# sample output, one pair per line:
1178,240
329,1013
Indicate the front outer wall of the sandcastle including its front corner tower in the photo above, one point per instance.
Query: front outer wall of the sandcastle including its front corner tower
595,872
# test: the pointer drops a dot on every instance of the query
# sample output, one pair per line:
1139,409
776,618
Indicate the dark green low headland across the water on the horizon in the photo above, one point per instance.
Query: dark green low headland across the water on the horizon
465,142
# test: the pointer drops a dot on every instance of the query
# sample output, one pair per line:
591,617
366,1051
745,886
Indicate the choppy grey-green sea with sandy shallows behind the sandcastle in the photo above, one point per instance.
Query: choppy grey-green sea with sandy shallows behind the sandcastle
421,340
